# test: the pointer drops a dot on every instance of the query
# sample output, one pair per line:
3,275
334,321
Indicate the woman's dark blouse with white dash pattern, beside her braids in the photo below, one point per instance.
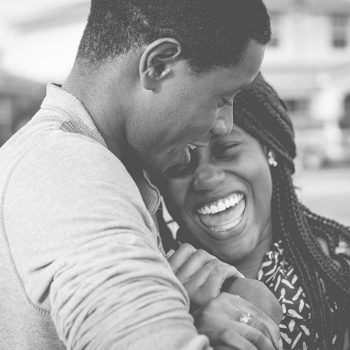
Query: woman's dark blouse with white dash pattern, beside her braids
279,276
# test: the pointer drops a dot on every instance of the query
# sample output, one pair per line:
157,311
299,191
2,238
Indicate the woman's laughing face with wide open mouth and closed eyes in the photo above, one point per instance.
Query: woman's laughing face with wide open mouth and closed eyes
223,197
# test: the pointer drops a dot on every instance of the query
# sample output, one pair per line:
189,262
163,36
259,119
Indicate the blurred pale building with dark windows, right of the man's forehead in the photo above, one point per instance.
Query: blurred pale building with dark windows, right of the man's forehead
308,61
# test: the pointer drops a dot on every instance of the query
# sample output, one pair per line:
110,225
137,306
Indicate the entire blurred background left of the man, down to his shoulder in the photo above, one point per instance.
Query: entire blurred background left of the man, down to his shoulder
38,44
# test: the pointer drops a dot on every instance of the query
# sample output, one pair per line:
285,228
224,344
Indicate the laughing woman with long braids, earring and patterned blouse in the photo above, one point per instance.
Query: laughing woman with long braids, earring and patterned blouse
236,200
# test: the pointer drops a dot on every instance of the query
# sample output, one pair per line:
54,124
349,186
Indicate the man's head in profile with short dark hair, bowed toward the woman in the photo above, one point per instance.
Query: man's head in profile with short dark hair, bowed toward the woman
174,67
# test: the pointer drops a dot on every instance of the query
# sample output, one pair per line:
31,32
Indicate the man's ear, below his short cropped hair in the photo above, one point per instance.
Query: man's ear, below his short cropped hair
157,61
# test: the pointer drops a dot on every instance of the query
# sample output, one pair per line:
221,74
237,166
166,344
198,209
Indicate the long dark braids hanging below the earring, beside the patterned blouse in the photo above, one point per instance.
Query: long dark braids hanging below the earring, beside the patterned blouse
290,223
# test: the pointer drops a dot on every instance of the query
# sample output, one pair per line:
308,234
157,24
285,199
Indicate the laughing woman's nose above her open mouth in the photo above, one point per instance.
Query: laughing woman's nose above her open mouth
207,177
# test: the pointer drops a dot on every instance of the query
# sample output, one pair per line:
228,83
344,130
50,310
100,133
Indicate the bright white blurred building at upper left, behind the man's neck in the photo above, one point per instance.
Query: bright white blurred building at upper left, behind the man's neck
40,41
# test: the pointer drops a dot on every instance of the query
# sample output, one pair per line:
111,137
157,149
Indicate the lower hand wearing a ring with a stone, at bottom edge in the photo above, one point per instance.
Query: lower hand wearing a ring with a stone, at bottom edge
220,320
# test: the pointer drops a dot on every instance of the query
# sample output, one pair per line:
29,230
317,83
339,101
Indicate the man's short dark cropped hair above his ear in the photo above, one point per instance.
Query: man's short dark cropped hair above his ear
211,32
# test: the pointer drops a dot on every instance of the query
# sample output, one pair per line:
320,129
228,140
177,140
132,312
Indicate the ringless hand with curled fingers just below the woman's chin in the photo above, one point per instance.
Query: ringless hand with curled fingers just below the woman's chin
201,273
